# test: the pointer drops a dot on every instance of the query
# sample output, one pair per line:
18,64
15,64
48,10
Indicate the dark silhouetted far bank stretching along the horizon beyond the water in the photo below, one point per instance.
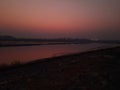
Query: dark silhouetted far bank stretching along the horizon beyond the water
10,41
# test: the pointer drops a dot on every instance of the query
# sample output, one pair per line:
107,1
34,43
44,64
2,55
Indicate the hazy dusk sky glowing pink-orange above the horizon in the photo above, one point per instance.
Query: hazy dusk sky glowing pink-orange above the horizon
95,19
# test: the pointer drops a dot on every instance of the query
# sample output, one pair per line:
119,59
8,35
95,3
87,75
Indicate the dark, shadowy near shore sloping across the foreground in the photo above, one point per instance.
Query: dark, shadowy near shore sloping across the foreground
95,70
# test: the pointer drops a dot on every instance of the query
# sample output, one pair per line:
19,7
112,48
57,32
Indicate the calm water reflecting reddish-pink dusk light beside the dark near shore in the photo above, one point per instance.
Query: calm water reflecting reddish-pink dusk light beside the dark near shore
29,53
